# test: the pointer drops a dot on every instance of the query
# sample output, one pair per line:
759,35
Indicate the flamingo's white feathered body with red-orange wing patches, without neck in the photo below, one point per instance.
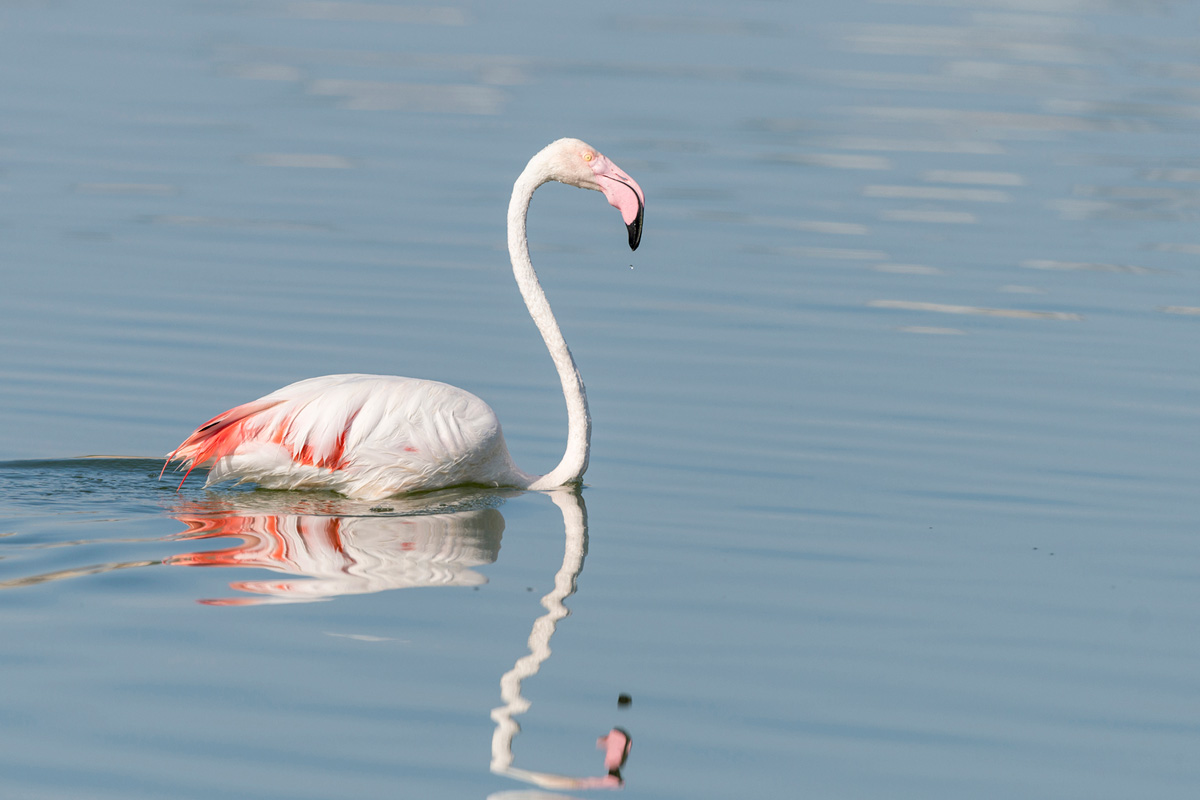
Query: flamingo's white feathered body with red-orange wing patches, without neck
361,436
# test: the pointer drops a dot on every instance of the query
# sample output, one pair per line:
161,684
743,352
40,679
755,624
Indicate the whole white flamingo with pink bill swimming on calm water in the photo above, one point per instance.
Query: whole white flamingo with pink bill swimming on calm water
371,437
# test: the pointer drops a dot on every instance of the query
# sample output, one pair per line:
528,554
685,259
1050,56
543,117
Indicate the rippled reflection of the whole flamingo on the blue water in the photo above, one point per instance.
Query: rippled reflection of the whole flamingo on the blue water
339,550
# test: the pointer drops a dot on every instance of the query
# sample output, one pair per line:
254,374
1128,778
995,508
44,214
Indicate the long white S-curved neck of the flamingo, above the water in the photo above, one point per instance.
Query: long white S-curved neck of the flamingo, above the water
579,422
